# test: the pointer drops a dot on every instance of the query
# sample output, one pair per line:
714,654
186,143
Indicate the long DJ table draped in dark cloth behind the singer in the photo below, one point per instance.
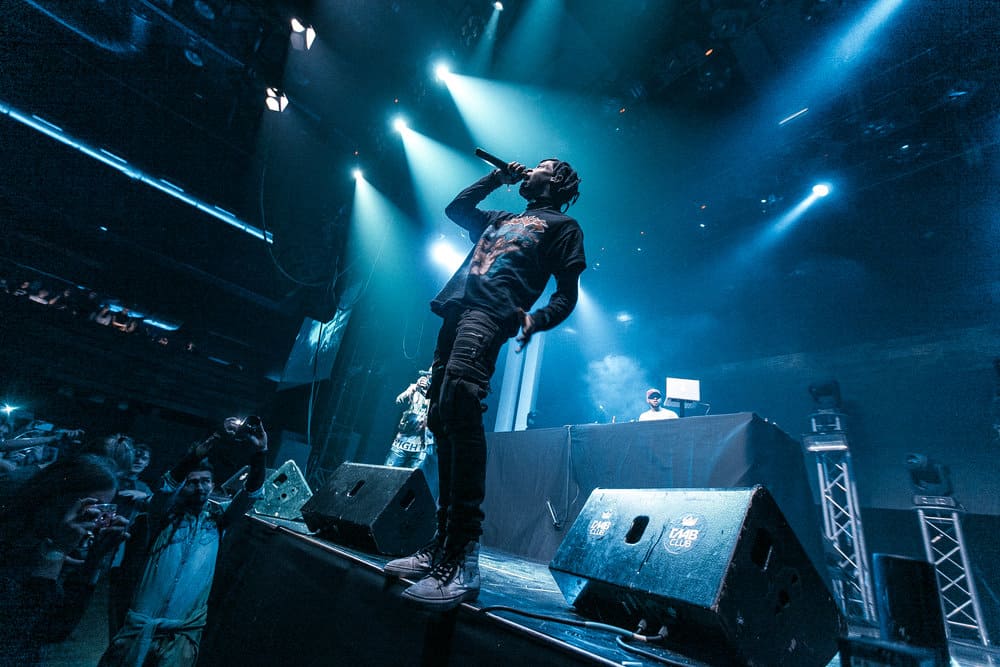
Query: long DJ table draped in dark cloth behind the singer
537,481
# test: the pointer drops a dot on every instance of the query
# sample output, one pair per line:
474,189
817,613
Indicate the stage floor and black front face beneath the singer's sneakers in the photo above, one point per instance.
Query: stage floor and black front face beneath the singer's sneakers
335,601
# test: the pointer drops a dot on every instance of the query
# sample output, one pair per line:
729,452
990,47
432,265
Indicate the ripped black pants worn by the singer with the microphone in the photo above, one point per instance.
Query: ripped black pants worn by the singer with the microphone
464,361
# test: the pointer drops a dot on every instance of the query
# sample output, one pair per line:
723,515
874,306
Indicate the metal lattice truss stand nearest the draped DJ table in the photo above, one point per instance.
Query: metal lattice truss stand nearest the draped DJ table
842,529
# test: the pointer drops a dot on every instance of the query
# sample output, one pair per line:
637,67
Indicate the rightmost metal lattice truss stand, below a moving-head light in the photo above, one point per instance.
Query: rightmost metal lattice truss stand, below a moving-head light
944,543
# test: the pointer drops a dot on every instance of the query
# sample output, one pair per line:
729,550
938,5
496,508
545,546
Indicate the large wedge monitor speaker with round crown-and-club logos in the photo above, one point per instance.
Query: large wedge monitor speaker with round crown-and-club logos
720,568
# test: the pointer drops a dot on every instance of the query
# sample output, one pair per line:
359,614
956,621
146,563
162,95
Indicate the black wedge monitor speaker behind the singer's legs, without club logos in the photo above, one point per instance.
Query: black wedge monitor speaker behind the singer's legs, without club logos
376,509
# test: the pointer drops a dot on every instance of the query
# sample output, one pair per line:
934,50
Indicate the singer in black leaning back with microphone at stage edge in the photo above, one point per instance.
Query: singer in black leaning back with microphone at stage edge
483,305
